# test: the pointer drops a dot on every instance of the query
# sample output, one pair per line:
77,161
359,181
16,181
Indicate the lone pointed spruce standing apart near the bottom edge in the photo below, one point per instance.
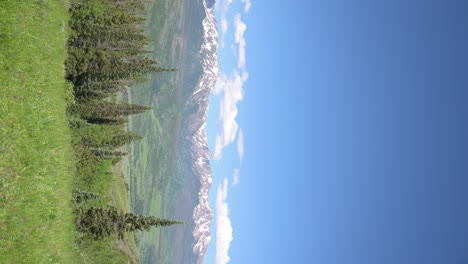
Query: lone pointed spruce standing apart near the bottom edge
102,222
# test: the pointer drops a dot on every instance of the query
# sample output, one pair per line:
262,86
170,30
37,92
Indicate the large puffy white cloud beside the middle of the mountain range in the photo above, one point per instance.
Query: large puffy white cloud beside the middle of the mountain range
232,88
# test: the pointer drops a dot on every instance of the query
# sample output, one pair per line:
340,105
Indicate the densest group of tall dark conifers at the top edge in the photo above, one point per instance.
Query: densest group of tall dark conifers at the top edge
108,47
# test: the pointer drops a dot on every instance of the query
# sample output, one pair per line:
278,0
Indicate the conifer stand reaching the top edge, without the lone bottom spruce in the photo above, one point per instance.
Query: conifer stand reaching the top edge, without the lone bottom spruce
106,54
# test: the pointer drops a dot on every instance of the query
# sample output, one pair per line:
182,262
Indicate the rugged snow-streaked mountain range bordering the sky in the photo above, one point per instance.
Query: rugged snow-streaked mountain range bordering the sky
194,135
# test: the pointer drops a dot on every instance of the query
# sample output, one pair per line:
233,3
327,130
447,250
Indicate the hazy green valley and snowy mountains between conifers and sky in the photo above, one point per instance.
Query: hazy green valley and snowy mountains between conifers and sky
170,168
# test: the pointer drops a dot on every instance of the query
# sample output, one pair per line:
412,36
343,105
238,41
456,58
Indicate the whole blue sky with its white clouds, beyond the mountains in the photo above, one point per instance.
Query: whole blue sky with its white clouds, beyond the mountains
339,132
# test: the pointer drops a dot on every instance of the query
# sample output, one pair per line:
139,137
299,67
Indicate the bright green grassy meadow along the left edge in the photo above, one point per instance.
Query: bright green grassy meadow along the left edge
36,158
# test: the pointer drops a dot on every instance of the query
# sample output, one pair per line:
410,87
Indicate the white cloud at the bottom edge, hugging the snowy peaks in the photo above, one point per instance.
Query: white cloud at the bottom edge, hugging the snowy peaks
223,225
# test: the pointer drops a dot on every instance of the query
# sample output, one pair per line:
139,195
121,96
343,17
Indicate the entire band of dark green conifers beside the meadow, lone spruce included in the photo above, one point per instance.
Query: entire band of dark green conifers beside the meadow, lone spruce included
106,54
